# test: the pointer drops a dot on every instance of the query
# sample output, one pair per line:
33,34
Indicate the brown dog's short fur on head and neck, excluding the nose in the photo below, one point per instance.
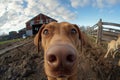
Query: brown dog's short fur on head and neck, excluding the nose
59,33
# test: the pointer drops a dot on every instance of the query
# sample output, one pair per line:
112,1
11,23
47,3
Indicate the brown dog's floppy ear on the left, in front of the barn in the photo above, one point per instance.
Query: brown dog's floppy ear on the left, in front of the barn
37,38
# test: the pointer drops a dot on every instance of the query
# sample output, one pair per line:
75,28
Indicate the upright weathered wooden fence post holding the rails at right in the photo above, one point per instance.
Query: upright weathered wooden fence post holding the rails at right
99,32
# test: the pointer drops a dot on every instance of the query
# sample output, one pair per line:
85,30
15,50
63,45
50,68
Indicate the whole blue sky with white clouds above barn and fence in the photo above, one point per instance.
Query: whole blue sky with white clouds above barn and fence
15,13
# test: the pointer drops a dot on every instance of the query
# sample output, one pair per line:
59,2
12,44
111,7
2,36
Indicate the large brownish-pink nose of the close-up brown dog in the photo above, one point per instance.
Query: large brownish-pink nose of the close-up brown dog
61,56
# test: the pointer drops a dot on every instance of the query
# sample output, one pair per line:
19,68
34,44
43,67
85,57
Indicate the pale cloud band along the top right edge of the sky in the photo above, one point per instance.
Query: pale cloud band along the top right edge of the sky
94,3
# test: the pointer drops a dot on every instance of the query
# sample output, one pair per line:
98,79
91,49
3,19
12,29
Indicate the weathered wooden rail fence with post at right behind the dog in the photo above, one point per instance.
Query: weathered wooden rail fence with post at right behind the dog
102,33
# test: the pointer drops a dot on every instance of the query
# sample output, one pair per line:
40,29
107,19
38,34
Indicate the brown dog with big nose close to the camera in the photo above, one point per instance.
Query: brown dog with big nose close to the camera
61,43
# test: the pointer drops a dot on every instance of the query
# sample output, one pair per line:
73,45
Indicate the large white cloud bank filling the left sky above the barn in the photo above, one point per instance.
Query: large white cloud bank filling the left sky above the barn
14,13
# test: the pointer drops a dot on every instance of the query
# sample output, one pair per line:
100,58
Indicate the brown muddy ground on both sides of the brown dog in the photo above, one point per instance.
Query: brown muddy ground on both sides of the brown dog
24,63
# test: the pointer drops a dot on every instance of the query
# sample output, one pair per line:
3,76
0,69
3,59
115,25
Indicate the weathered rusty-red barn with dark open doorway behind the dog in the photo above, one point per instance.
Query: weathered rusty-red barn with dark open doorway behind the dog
33,25
